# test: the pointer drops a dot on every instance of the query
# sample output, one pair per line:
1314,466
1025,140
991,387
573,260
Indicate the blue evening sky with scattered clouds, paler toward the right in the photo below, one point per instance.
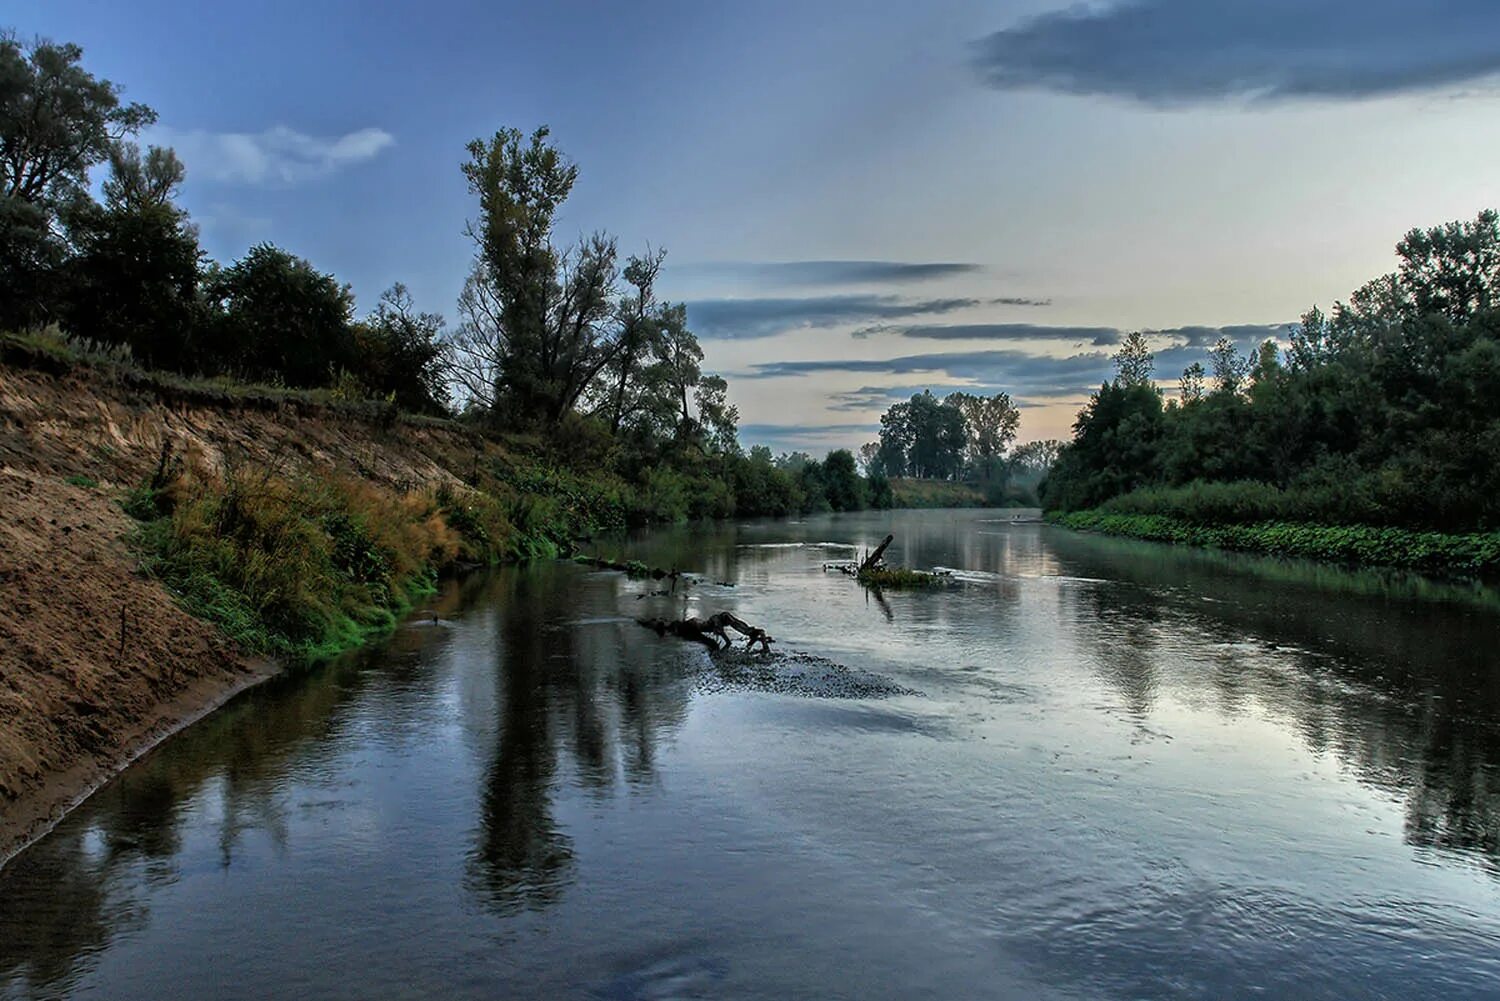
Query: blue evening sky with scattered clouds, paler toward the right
859,200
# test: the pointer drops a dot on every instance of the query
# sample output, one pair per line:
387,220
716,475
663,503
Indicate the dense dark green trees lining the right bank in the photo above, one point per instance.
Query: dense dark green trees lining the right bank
1384,412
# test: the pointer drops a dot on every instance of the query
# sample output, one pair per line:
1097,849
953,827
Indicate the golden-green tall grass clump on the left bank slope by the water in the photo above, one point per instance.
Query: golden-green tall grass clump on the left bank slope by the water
307,568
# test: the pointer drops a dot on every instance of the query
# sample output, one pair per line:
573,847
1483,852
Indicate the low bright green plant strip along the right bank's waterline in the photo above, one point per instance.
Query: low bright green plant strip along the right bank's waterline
1474,555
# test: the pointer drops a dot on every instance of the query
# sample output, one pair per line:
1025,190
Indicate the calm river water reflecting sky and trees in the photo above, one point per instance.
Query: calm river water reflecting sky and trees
1087,769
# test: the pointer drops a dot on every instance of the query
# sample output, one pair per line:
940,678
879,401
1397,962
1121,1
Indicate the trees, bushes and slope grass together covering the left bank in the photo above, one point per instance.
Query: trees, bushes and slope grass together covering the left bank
584,391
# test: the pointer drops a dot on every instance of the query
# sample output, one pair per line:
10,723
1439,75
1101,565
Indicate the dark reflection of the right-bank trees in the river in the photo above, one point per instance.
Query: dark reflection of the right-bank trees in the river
1400,691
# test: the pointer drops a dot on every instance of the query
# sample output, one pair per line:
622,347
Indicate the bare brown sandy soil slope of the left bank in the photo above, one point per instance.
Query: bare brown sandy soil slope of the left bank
77,703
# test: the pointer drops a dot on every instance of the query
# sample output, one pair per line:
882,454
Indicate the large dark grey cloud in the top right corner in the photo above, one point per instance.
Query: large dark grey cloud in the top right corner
1189,52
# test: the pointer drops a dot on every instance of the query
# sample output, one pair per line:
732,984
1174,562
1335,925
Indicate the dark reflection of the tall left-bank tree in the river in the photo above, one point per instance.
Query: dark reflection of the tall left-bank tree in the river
595,690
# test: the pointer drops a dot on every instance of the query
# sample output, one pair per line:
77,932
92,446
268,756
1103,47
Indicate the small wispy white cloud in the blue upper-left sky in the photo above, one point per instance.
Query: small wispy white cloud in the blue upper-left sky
277,157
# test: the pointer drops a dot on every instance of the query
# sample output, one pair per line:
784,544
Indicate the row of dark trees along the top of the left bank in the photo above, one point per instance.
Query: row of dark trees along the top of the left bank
566,349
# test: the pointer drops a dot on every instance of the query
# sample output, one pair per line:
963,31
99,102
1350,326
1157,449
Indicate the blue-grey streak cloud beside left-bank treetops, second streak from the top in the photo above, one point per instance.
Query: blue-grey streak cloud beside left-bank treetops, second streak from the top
748,319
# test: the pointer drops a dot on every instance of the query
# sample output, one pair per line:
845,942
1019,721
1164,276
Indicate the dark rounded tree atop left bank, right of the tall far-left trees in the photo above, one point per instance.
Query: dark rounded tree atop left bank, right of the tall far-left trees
280,319
